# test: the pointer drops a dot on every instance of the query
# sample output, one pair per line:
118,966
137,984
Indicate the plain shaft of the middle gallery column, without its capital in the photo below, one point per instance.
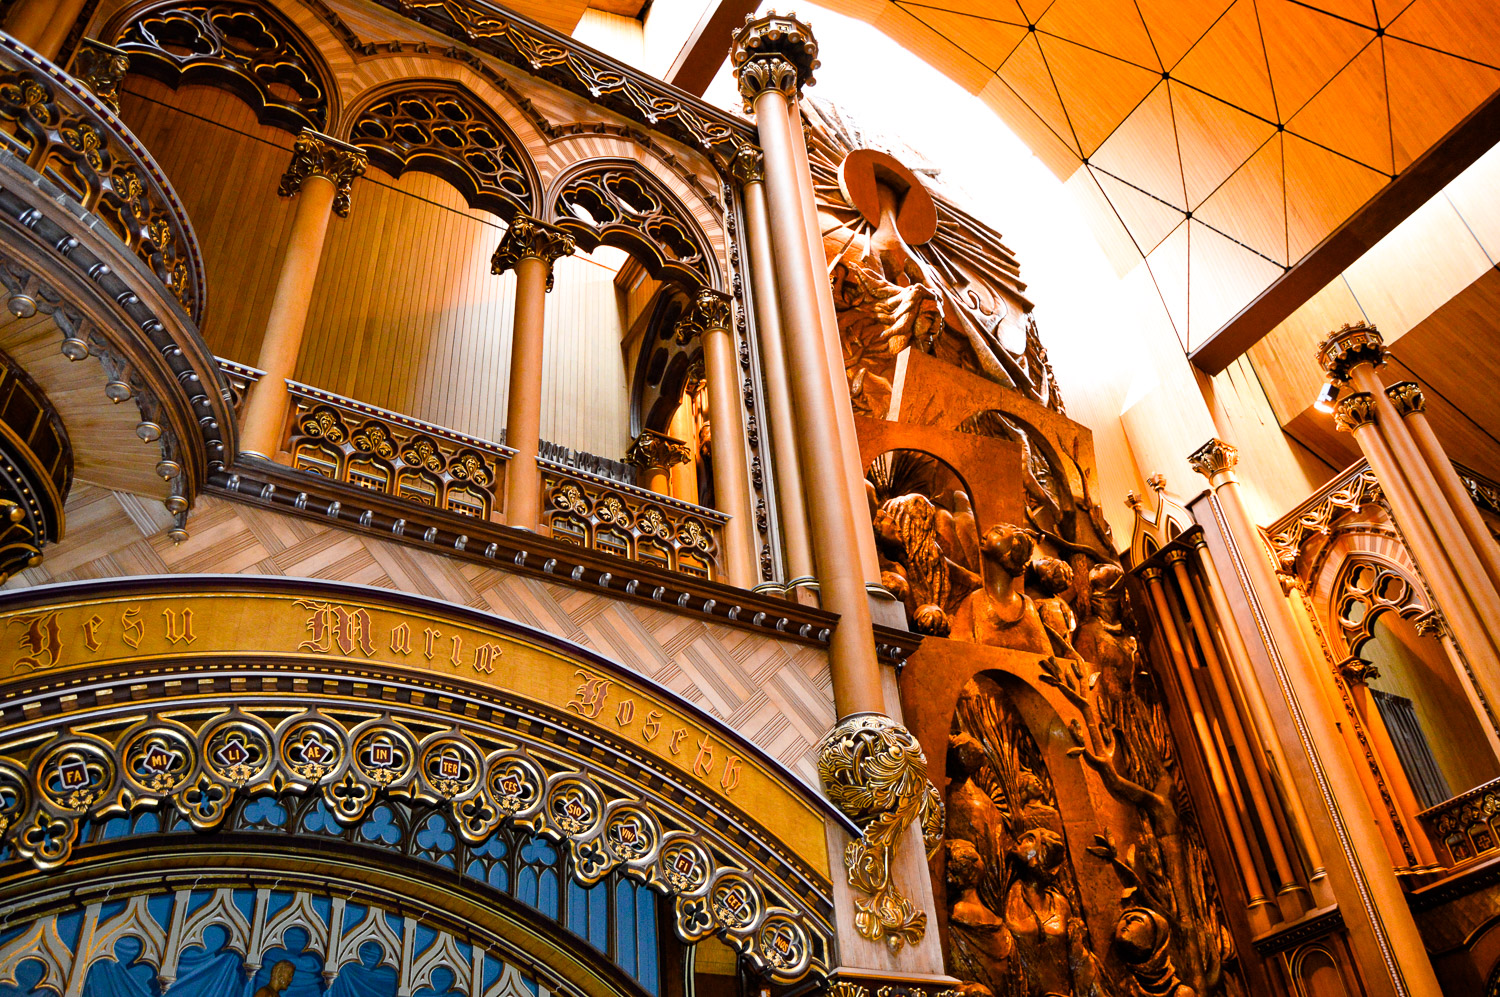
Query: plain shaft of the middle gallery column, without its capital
524,404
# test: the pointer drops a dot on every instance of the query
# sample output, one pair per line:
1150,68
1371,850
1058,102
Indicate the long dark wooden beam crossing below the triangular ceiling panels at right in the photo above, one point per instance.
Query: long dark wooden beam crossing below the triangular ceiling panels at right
1435,170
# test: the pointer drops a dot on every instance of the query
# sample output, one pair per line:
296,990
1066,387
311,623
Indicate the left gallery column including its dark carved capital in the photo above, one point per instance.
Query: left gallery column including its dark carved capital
320,176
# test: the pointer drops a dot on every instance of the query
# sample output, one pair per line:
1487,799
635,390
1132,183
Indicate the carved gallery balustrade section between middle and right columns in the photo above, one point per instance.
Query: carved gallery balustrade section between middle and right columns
629,522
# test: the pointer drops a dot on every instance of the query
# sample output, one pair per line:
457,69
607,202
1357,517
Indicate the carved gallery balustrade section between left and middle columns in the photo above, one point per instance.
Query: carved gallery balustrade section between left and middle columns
391,454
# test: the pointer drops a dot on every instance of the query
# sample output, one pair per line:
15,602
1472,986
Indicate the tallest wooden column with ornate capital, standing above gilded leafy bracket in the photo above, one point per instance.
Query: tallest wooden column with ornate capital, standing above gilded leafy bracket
769,83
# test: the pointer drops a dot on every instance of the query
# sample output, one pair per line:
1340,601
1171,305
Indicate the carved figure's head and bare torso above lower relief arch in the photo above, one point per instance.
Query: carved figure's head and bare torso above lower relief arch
1000,614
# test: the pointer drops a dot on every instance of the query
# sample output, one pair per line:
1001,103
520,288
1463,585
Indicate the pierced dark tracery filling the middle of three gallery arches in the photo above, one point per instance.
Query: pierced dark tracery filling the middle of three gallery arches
446,131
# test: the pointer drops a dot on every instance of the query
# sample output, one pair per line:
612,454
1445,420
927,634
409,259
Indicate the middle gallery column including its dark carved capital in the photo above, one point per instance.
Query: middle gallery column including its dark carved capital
530,248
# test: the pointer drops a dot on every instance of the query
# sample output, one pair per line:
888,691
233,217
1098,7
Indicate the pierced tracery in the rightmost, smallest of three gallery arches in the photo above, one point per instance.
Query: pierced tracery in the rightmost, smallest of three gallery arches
617,203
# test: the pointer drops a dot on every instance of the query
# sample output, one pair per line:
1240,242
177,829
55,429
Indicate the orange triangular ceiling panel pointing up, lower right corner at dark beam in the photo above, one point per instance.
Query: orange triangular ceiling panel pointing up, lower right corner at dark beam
1349,115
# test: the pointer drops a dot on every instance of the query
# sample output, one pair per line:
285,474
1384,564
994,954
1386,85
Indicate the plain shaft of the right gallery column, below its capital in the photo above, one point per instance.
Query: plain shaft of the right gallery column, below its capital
731,479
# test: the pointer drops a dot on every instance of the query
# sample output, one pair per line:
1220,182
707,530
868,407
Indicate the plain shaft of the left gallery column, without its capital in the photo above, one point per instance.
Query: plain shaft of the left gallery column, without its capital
266,410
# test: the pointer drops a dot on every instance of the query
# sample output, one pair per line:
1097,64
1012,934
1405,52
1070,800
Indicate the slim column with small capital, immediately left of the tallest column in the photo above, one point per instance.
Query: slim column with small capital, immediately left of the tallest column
749,170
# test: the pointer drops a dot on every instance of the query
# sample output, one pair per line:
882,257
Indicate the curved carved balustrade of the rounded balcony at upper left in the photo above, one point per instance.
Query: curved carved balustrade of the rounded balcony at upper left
71,137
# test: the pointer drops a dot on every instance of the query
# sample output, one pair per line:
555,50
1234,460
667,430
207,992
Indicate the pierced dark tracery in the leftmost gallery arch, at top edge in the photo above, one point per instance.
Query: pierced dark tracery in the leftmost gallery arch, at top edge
244,47
